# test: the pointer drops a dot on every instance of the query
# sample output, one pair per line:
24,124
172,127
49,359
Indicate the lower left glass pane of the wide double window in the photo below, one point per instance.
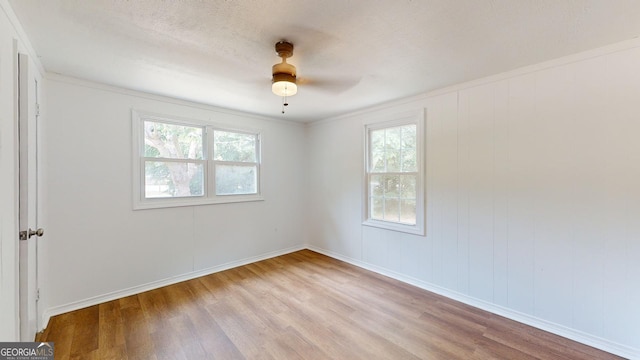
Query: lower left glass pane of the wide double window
173,179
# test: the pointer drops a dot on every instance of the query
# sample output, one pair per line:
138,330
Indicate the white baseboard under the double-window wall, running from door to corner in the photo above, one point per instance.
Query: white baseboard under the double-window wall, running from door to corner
76,305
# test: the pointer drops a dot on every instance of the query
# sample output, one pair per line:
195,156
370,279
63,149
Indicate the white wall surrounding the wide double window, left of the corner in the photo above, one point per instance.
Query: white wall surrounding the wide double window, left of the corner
99,248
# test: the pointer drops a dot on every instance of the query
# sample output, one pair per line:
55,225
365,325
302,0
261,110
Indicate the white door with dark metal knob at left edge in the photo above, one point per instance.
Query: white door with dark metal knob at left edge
28,202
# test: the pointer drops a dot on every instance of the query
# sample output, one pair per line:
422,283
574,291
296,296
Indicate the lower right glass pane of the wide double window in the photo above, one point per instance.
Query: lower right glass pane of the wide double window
234,180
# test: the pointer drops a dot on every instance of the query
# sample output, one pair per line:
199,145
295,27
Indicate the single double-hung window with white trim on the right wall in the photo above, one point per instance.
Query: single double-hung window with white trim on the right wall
395,174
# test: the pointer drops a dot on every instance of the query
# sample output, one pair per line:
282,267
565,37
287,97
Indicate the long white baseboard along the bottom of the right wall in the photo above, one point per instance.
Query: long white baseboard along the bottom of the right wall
569,333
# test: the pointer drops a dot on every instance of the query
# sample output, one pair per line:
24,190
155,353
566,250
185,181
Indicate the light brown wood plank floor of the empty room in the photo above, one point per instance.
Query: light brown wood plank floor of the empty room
298,306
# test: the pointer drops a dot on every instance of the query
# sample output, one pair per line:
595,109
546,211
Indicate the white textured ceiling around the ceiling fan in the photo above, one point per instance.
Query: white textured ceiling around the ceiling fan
351,53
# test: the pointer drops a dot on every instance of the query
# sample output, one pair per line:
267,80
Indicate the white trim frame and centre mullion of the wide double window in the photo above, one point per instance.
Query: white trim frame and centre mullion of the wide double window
140,203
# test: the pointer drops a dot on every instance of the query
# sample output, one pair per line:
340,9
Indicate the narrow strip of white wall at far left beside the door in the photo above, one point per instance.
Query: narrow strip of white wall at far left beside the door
10,34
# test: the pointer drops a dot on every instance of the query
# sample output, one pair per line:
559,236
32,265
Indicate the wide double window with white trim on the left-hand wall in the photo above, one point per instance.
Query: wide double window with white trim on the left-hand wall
180,162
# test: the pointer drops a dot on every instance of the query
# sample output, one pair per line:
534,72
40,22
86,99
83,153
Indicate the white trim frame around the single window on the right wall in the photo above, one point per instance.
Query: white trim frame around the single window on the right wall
417,118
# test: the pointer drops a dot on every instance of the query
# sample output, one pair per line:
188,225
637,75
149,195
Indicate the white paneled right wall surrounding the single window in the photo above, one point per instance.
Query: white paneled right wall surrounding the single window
533,203
